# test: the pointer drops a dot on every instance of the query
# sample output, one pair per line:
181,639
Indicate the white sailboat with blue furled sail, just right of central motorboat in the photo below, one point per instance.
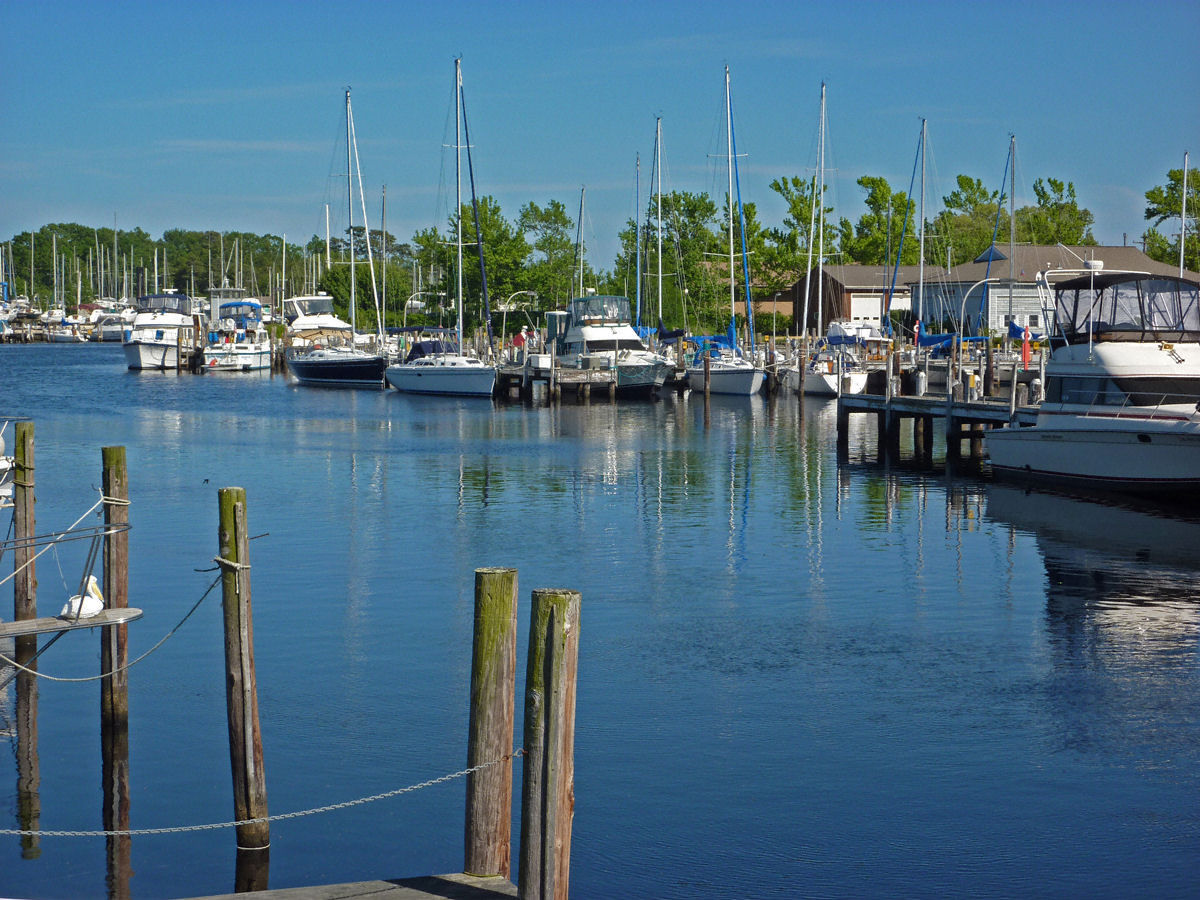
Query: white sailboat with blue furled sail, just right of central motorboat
728,370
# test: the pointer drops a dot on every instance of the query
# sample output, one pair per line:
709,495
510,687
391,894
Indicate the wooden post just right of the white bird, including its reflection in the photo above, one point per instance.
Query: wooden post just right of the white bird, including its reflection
115,657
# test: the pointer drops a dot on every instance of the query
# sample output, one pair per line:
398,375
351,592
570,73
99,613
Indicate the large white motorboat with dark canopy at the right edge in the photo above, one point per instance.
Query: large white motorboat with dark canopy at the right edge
1123,393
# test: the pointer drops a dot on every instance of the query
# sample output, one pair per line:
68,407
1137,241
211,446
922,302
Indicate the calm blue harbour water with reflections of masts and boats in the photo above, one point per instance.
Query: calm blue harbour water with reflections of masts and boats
797,679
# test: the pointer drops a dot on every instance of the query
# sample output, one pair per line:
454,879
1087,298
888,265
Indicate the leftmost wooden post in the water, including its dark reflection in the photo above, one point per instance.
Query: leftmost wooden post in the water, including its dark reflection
29,806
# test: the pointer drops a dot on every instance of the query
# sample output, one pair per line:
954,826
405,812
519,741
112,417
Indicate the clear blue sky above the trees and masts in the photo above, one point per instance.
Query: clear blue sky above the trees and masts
231,116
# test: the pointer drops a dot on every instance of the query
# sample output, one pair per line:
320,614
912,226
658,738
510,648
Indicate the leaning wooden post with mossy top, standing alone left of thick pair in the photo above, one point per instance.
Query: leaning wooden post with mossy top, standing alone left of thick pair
242,689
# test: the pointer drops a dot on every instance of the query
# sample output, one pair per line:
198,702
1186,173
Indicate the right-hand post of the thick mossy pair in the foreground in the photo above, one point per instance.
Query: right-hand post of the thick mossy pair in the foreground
548,803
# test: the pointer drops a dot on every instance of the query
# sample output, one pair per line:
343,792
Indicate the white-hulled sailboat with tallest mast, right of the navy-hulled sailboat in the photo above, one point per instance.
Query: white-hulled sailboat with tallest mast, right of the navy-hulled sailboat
436,365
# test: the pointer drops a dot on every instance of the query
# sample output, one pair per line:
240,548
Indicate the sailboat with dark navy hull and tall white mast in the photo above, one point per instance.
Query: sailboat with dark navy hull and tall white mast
340,363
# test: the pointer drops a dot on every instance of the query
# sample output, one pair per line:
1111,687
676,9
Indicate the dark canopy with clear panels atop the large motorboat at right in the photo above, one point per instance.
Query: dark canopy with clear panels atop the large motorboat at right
1126,307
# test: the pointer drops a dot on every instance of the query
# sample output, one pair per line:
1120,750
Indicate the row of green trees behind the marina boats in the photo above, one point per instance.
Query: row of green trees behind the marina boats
537,257
